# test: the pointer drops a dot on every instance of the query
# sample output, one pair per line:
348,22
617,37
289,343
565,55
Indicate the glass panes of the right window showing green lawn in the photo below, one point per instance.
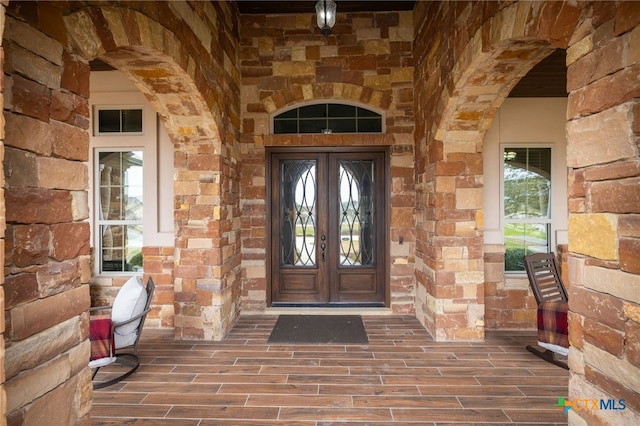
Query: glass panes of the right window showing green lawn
527,204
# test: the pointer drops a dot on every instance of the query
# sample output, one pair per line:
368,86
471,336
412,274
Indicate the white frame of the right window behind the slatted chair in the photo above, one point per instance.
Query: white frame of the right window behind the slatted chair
550,222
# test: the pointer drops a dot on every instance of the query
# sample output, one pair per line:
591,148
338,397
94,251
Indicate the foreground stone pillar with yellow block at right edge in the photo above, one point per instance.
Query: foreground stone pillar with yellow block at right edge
604,204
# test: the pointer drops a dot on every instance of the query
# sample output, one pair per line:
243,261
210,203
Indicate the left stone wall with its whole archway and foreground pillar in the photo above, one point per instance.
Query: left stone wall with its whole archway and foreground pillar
183,57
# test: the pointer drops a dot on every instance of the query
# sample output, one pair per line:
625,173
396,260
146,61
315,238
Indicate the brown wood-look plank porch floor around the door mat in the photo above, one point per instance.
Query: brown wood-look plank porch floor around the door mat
402,376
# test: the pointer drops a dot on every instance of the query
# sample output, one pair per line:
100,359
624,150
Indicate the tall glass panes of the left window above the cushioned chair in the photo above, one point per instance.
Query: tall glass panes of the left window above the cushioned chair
120,210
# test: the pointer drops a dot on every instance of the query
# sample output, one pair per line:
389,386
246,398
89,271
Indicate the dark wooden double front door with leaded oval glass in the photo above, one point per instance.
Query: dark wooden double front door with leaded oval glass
327,228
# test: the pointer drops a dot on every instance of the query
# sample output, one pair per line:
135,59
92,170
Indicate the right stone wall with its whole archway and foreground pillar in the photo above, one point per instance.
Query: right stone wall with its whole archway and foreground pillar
468,56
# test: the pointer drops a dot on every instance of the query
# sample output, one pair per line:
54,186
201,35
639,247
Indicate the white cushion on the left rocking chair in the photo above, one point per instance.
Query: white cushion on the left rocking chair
129,302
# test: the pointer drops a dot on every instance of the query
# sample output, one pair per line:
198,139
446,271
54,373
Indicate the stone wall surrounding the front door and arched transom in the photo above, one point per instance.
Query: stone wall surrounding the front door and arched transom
286,61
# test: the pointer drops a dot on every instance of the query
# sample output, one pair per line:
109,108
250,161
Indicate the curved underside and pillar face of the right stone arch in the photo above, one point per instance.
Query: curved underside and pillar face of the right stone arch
465,120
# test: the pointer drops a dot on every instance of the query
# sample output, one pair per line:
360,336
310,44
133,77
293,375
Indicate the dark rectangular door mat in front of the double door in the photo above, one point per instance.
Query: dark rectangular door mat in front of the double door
317,329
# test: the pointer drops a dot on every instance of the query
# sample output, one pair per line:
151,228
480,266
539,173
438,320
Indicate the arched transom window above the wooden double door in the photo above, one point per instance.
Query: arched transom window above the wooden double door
327,118
